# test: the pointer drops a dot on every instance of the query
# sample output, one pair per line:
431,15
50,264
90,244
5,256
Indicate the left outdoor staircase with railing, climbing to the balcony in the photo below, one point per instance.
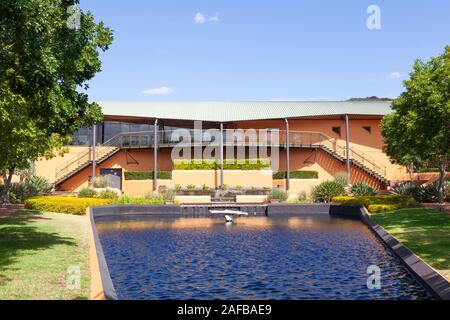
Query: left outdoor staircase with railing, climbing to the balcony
73,166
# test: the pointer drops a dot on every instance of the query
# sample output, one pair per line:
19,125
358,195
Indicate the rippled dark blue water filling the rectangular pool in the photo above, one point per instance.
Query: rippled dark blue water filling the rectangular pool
296,257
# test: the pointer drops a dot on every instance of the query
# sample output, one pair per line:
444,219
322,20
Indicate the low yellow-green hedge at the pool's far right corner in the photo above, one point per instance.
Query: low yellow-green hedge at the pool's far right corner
376,204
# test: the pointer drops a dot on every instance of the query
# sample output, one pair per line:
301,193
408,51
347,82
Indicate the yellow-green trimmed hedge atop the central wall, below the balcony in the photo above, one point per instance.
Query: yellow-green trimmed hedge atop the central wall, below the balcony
229,164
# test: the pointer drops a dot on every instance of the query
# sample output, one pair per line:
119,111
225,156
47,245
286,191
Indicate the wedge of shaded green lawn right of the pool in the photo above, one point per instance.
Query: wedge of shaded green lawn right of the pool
426,232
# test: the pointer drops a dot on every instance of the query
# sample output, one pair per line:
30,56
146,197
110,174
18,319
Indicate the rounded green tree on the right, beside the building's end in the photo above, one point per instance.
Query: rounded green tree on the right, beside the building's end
419,128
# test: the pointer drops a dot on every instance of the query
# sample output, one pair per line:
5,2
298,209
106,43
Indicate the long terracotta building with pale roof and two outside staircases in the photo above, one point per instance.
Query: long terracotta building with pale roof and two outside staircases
326,137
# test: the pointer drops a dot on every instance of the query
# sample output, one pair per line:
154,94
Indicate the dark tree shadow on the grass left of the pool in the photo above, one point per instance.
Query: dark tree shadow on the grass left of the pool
18,234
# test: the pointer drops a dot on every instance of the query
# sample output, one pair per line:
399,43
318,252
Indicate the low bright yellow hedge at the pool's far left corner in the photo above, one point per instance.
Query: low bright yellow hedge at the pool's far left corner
70,205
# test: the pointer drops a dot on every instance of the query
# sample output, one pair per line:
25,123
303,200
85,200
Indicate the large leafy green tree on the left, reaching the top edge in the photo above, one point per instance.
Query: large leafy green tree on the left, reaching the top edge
45,65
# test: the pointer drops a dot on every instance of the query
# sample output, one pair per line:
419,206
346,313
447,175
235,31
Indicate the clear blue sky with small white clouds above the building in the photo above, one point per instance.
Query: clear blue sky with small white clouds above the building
263,50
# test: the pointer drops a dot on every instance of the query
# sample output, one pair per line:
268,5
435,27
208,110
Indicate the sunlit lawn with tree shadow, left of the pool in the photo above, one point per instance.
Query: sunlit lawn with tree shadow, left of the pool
38,252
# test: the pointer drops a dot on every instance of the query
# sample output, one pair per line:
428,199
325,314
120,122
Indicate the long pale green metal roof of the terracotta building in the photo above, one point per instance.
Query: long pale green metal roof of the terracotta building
243,110
